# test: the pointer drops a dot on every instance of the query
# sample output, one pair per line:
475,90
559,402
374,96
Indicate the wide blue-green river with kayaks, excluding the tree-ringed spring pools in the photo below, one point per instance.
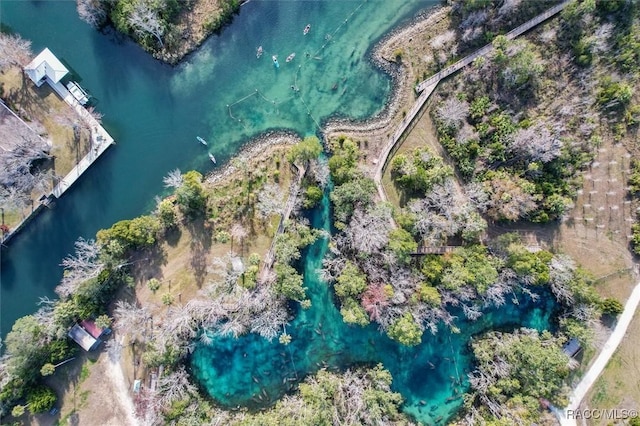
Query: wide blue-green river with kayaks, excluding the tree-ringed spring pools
155,111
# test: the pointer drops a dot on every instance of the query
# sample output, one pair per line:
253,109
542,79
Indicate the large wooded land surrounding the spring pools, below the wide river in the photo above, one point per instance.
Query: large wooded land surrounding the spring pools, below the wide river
445,200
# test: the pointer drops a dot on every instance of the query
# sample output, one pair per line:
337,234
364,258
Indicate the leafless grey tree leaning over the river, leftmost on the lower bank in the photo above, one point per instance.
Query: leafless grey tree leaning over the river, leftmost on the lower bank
84,265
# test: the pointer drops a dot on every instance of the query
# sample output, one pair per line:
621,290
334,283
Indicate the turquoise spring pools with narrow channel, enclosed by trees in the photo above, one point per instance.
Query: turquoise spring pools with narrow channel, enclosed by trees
431,376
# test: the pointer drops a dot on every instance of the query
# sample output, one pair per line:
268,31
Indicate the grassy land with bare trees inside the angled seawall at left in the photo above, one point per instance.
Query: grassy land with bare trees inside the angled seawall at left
42,138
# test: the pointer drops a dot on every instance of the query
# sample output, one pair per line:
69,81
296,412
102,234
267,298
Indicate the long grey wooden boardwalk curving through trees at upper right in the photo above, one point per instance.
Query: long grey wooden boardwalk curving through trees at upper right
426,88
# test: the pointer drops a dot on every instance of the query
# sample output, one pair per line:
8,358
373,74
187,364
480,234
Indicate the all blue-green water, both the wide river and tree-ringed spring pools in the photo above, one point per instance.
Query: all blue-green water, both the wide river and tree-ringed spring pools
227,95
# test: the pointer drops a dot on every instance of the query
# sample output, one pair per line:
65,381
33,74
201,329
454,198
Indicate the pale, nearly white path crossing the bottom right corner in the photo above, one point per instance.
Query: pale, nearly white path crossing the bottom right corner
603,358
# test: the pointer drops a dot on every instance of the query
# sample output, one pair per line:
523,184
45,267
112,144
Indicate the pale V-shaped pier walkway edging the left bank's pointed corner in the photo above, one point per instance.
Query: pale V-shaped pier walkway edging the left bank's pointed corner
100,140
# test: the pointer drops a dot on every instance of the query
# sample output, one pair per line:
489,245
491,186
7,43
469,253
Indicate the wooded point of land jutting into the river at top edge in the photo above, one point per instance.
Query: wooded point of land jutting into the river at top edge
168,29
